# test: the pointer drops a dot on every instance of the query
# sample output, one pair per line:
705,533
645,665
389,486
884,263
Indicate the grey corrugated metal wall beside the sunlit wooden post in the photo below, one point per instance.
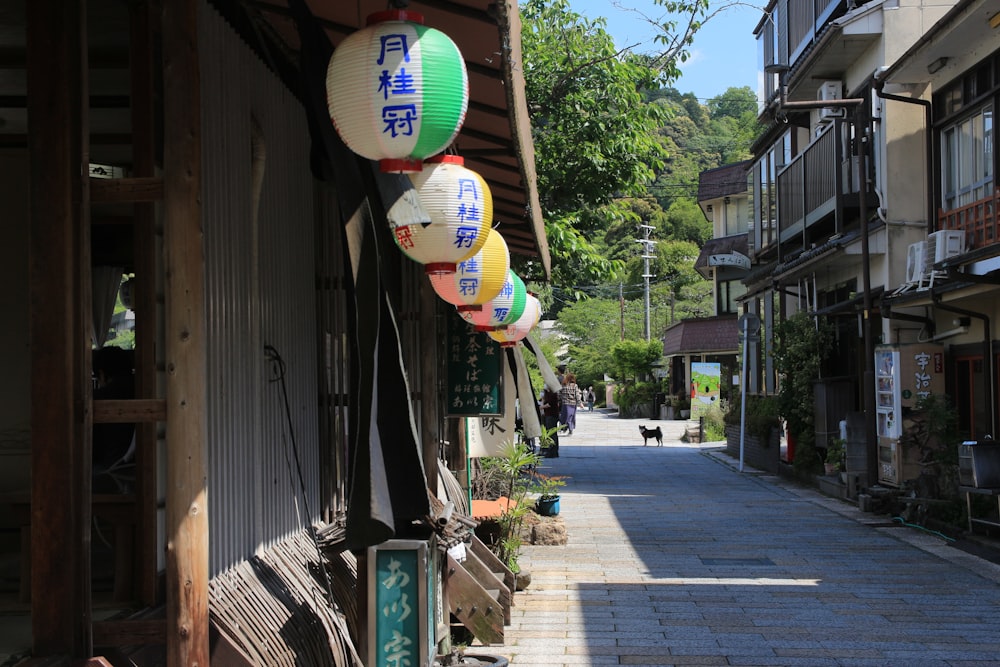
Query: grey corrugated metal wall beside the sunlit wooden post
260,290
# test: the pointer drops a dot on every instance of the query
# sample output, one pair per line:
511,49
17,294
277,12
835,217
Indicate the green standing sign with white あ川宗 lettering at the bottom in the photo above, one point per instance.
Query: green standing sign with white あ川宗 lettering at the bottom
400,616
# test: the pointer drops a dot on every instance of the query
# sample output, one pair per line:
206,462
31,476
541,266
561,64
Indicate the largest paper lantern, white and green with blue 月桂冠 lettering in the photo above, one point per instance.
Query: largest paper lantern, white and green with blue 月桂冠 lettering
397,91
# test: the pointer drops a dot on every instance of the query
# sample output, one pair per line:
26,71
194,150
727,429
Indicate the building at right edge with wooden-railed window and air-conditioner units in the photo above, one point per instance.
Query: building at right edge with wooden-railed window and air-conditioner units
952,77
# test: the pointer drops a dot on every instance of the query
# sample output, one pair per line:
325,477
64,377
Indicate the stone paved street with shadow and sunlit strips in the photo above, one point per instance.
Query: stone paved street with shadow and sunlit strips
677,558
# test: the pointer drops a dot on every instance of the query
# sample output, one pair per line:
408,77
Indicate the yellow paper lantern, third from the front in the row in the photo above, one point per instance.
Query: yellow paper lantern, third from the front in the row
477,279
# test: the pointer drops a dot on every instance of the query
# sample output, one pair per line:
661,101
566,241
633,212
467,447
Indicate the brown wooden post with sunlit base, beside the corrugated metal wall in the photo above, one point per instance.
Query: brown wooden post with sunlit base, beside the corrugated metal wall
187,510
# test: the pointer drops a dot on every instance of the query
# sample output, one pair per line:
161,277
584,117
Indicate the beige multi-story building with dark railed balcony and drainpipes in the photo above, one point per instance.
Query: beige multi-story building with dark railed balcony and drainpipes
838,191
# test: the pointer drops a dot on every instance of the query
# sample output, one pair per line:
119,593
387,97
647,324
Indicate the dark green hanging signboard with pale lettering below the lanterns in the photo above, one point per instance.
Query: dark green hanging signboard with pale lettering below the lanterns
474,377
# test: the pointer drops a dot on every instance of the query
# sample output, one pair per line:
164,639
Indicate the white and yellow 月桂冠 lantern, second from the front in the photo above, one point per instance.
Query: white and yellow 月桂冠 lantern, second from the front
460,206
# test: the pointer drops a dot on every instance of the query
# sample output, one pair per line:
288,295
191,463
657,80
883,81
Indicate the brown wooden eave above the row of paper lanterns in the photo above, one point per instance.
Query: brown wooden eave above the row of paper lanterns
495,139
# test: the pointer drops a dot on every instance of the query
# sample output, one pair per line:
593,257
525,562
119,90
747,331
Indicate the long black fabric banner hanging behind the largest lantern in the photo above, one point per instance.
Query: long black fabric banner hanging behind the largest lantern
387,487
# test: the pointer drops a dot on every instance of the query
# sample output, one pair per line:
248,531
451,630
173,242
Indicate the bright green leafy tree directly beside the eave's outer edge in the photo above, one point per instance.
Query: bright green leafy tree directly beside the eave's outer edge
595,138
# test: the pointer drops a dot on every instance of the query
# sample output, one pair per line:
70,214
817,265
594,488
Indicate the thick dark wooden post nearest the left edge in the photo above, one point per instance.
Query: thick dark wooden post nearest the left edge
60,329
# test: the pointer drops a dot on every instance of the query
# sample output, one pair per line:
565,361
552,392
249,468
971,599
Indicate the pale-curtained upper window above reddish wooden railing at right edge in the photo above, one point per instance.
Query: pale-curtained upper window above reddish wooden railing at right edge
967,159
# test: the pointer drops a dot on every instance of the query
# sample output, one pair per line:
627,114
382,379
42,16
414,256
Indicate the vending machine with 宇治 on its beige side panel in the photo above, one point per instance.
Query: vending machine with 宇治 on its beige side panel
903,374
